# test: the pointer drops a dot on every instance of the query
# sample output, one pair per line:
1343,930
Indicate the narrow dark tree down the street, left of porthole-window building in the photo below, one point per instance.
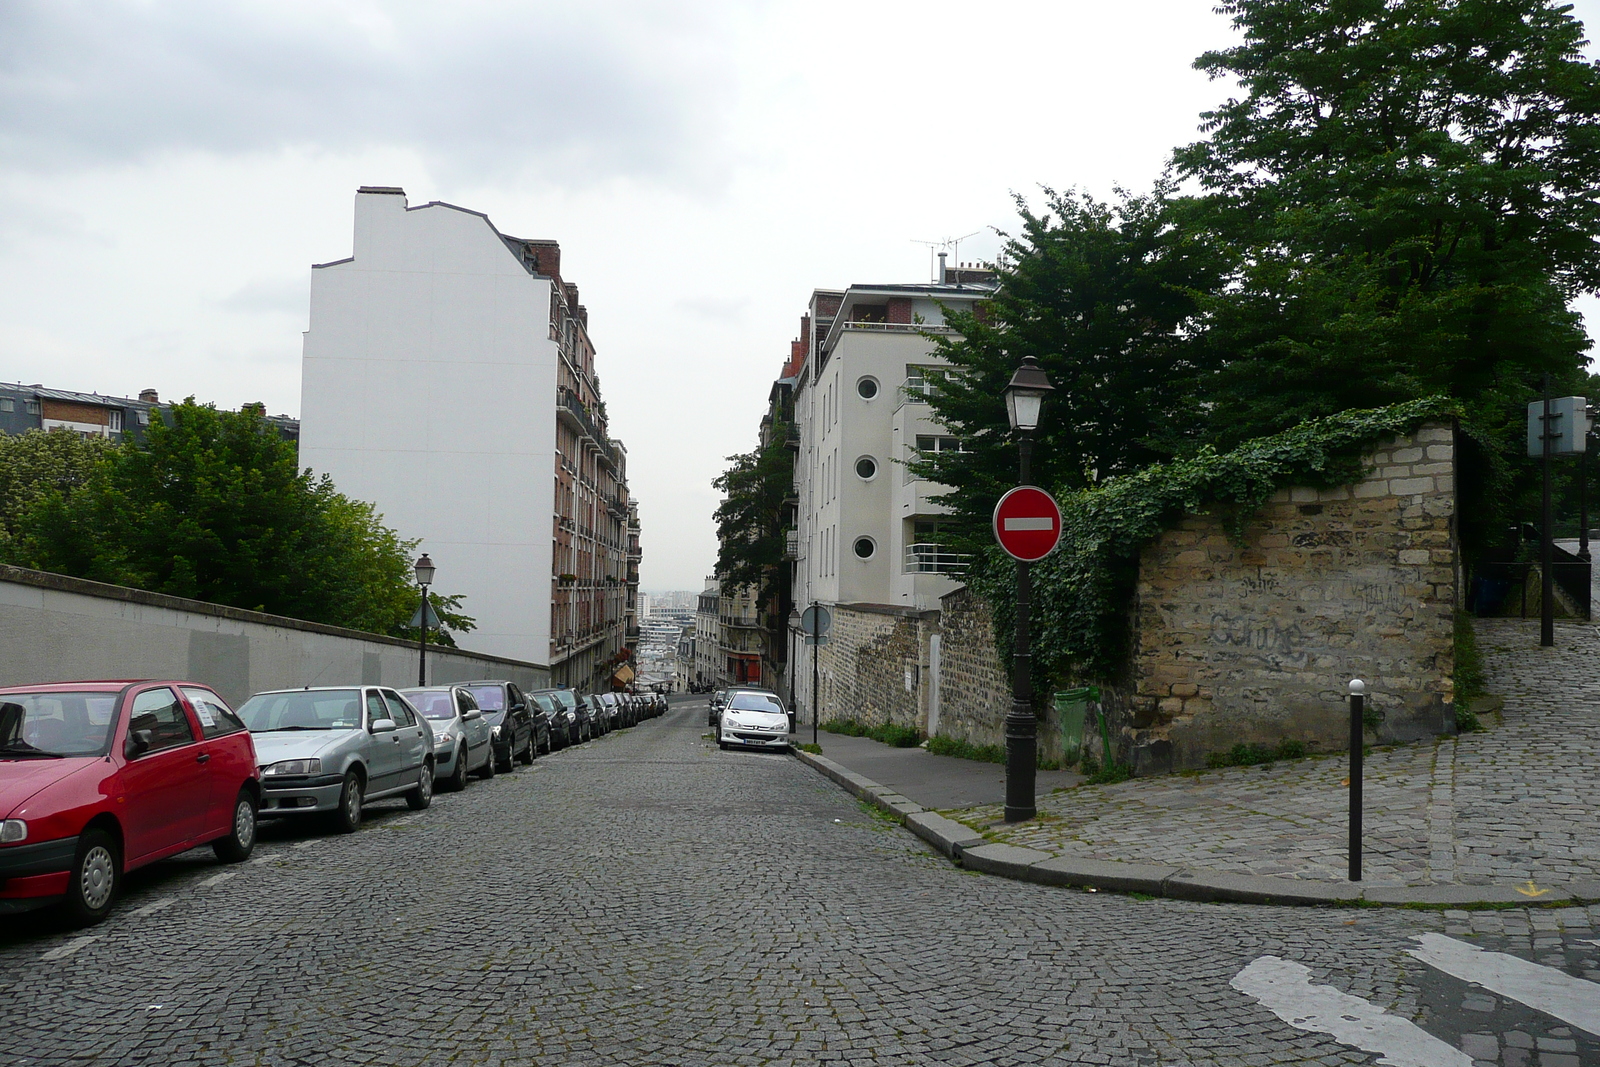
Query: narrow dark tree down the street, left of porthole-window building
751,524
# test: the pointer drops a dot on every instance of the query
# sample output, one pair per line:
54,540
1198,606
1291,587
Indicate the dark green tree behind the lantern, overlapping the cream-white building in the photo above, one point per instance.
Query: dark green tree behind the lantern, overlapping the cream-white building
1103,295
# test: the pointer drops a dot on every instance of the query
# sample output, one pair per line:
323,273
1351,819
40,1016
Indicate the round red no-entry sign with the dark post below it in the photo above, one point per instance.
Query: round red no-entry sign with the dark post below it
1028,527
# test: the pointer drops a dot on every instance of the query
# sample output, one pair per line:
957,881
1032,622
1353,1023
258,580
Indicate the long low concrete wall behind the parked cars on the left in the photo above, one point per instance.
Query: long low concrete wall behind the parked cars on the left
63,629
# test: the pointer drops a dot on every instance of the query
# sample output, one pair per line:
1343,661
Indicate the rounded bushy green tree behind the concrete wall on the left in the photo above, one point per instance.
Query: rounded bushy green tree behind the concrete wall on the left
214,506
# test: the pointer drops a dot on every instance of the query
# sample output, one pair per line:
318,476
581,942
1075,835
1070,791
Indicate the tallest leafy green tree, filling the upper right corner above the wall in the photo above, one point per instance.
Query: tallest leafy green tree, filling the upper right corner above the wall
1412,191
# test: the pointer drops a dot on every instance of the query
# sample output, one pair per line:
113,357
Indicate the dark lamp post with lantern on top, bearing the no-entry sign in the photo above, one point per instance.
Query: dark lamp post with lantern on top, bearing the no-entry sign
1025,396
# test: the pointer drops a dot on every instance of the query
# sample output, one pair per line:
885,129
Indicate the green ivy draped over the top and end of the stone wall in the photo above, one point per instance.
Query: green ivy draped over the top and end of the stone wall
1084,593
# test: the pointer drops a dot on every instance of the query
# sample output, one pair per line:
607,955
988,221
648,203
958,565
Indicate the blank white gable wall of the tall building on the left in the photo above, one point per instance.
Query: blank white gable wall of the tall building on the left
430,390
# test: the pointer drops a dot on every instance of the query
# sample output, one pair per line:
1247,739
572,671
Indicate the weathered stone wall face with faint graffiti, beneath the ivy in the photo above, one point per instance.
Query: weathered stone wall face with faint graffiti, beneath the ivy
1255,641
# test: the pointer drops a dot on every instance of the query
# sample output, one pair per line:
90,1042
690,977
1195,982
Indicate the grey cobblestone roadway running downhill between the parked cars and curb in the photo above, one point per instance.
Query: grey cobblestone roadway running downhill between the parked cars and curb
652,901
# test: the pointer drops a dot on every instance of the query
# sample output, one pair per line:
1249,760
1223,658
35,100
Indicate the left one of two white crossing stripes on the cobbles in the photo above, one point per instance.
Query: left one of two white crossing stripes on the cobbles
1284,989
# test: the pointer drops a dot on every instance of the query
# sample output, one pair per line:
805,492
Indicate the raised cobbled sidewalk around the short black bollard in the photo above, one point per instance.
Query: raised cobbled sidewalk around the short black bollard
1516,802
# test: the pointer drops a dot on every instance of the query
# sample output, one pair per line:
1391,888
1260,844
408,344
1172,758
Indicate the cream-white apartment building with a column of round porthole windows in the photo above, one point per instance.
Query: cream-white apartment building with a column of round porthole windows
868,532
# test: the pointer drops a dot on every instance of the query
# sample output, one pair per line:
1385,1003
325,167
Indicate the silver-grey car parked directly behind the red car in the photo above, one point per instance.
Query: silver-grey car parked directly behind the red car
334,749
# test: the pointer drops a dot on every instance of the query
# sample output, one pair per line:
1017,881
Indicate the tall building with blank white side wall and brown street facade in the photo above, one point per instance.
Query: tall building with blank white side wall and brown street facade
449,378
